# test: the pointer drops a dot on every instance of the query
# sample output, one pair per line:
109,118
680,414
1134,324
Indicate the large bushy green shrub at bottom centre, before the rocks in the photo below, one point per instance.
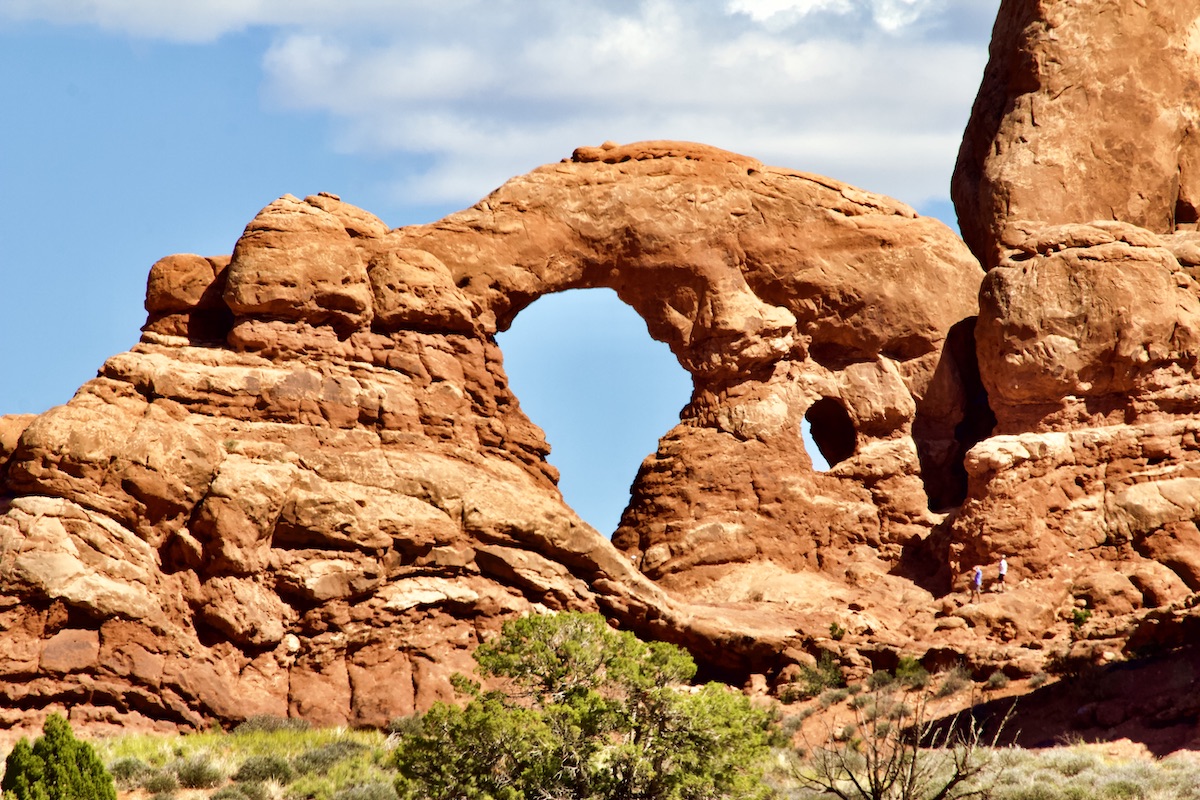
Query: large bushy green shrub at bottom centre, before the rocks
596,714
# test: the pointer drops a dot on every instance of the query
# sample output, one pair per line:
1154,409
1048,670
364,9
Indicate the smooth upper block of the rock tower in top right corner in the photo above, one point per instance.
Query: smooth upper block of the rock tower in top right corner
1087,112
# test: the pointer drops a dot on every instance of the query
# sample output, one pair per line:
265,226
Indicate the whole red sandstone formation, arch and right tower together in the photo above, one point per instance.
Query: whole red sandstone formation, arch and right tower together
309,490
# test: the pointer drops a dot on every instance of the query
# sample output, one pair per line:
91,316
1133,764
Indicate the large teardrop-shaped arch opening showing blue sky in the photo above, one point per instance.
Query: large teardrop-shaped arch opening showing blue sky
585,369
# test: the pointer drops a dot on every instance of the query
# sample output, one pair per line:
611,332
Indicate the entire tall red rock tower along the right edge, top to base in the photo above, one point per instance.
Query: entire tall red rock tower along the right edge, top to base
1077,185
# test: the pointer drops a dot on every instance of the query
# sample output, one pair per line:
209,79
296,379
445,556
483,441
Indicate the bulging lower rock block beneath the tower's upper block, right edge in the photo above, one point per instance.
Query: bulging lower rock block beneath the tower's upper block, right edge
1089,342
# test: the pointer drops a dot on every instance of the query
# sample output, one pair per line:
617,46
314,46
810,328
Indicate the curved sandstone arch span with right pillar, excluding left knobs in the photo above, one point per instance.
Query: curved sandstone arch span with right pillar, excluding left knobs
745,272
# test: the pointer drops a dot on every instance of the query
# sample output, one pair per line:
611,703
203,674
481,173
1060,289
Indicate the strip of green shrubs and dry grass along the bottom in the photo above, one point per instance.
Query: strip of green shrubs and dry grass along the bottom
578,711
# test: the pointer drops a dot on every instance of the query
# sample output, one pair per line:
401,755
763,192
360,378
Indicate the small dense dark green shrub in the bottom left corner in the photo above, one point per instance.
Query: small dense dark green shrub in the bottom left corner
56,767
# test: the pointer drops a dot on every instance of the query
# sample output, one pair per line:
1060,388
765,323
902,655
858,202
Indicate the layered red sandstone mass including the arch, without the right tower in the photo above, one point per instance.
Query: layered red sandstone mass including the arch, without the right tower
309,490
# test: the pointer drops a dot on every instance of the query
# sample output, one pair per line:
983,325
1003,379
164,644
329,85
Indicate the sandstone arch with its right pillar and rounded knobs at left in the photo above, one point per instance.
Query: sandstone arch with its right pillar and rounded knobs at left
773,288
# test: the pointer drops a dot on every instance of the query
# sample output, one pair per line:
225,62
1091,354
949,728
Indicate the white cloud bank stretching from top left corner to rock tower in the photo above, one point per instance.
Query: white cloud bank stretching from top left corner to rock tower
872,92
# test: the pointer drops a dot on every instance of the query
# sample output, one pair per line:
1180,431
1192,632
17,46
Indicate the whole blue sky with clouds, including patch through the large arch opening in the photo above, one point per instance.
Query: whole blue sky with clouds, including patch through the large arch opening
136,129
